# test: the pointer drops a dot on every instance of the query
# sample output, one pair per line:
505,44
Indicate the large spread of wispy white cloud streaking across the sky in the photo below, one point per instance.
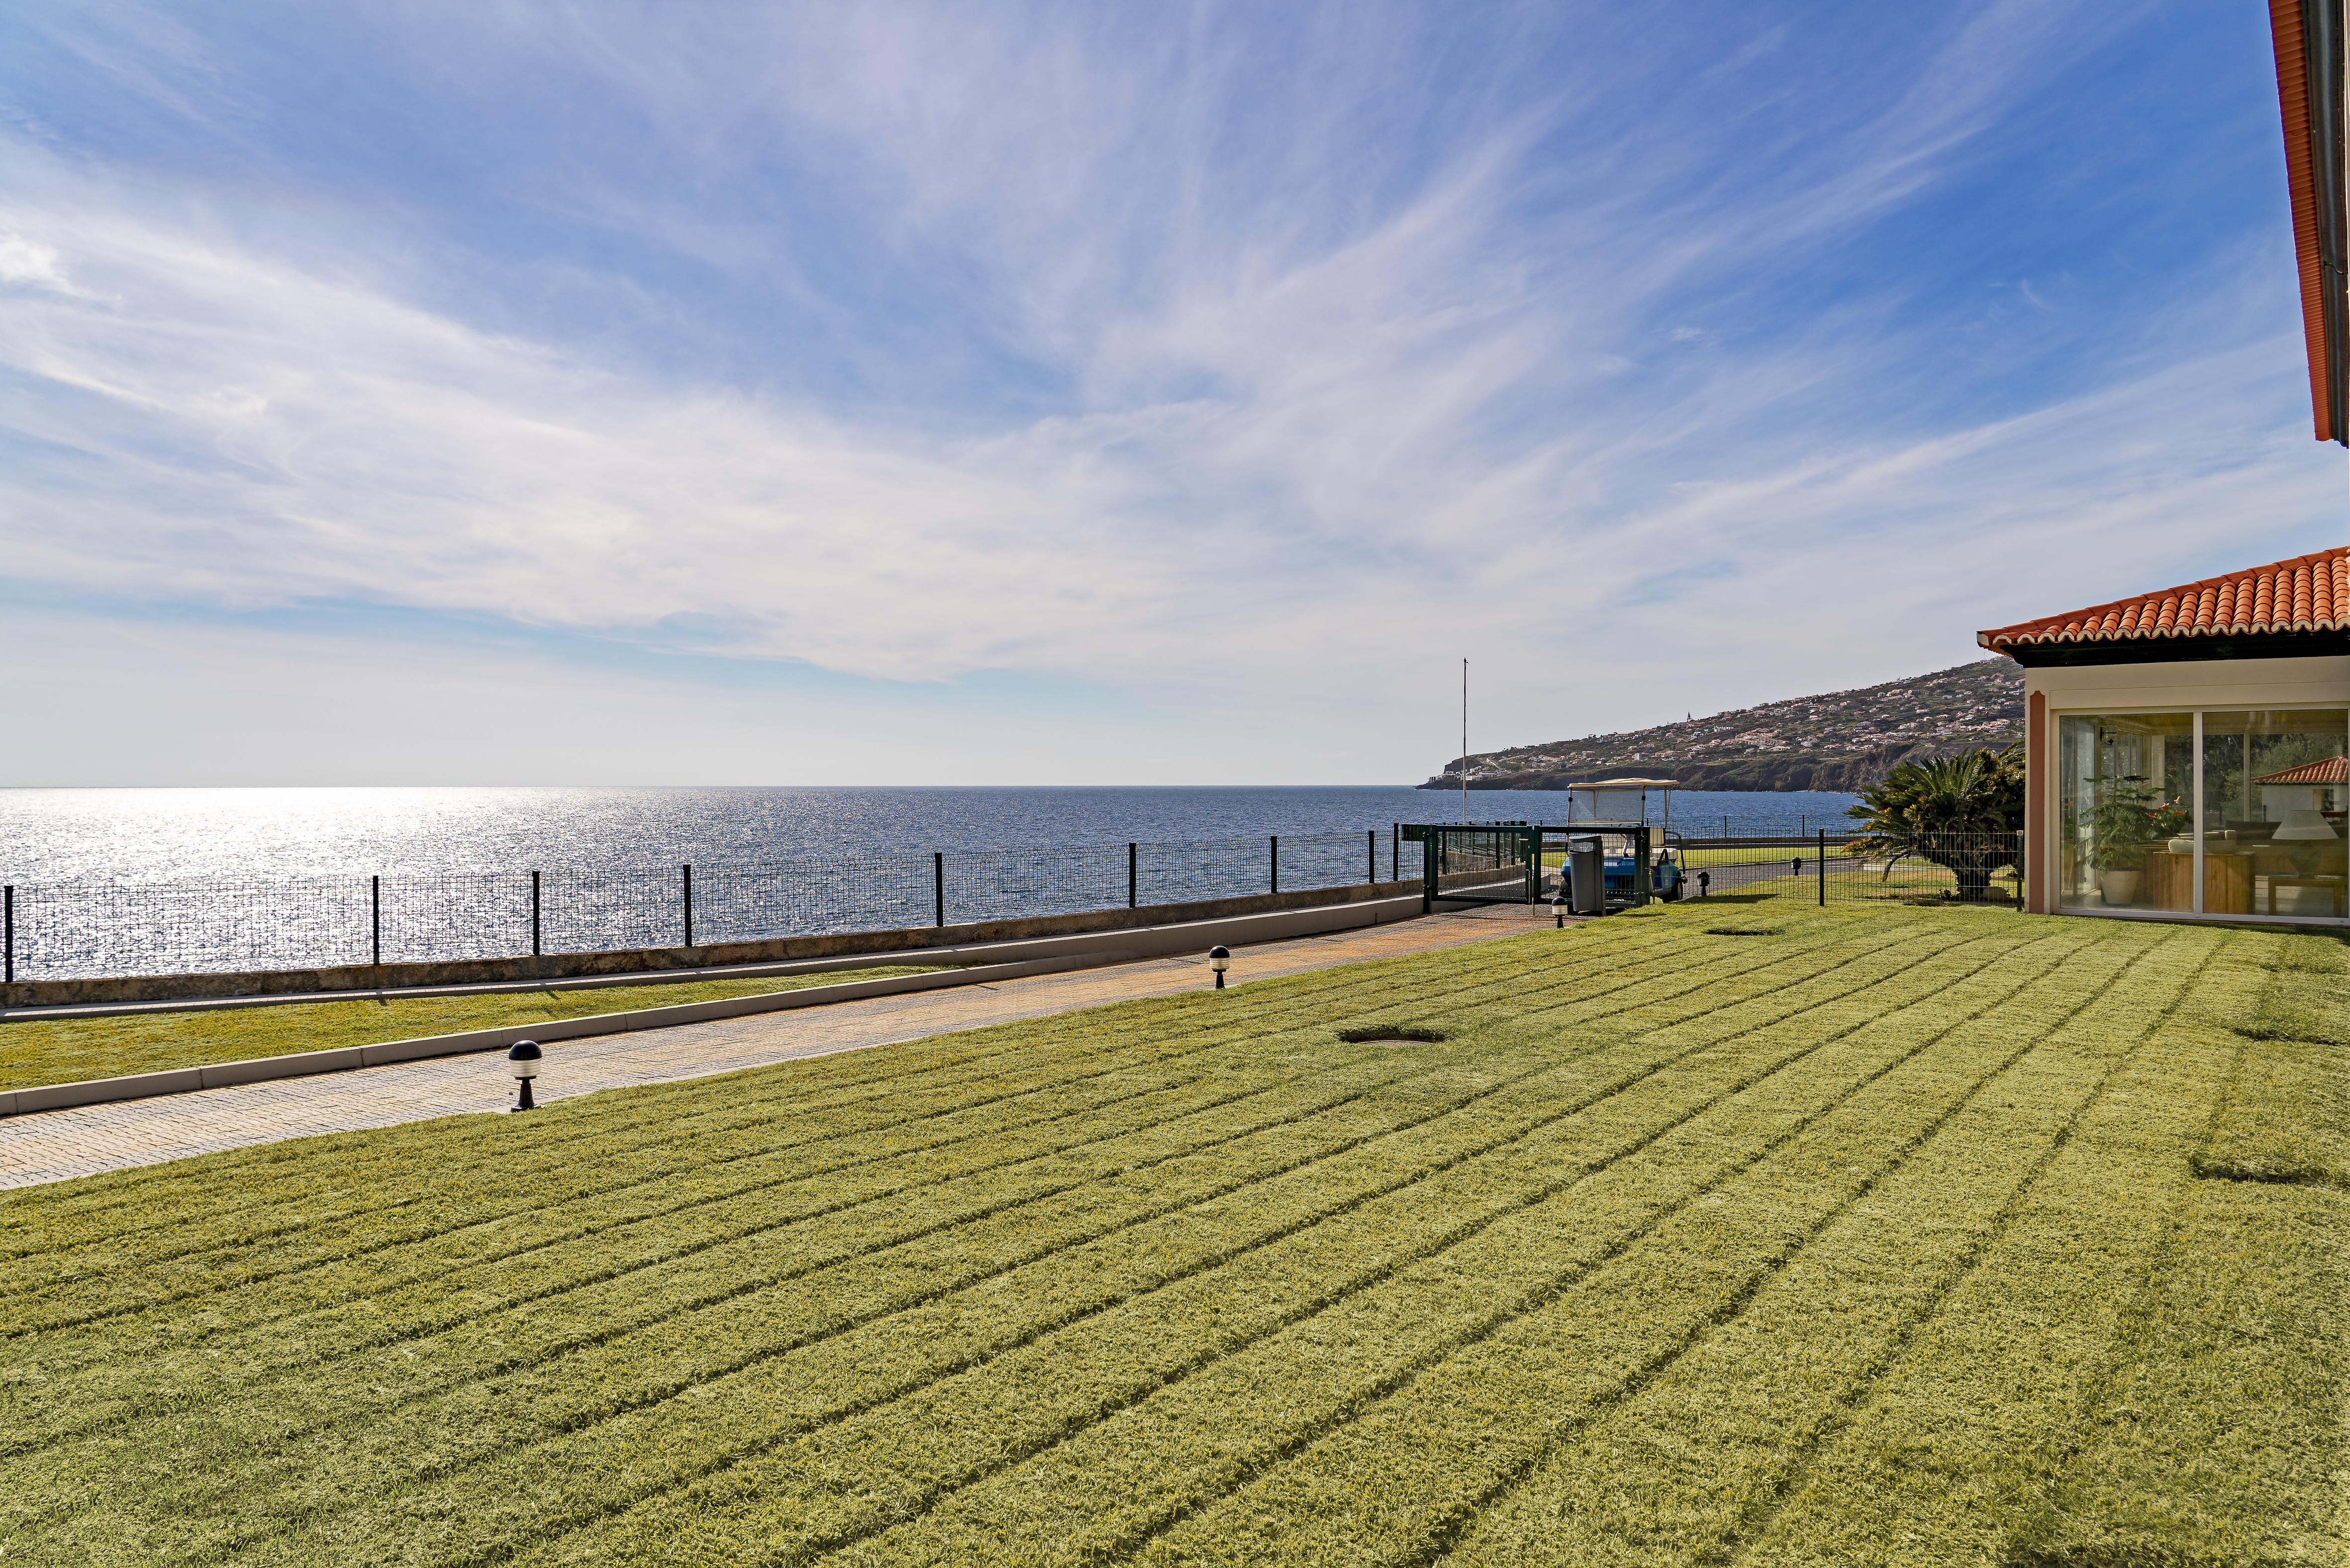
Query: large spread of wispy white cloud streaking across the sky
1277,398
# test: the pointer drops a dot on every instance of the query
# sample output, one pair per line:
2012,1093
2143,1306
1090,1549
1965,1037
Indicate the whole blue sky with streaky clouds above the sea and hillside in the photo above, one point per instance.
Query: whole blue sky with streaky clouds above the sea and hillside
889,394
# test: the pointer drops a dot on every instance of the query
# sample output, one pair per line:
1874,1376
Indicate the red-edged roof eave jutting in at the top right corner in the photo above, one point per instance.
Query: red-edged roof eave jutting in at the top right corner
2309,39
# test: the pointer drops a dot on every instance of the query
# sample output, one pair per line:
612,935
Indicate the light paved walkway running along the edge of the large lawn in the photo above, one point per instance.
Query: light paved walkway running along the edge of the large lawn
90,1139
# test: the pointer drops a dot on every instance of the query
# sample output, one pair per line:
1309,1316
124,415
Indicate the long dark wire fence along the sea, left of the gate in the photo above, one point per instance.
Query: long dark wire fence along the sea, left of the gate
224,927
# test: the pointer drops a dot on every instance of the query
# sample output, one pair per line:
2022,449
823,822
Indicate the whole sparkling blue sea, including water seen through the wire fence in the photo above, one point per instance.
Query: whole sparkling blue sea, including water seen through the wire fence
140,883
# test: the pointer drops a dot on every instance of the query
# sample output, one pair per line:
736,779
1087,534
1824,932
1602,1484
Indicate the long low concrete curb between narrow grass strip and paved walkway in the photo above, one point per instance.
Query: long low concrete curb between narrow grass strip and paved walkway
1089,951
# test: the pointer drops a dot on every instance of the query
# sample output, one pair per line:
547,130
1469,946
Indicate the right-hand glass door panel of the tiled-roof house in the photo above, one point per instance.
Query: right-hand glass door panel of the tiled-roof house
2274,812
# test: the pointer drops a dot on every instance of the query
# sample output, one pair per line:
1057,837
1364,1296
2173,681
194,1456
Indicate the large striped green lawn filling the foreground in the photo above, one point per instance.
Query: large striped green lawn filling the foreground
1860,1235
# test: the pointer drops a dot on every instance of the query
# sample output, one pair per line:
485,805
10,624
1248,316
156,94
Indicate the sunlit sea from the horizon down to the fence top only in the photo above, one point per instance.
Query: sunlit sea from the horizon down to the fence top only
201,836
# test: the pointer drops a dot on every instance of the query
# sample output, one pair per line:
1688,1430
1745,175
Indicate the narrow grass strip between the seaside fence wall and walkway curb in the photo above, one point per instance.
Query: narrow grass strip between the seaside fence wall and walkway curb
105,1047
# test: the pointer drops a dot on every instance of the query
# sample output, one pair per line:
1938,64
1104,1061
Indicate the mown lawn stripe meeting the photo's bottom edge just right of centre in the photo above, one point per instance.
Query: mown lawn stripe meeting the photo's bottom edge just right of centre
1414,1463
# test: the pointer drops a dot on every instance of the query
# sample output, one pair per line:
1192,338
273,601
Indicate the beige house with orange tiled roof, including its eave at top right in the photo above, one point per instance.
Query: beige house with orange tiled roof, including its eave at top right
2189,751
